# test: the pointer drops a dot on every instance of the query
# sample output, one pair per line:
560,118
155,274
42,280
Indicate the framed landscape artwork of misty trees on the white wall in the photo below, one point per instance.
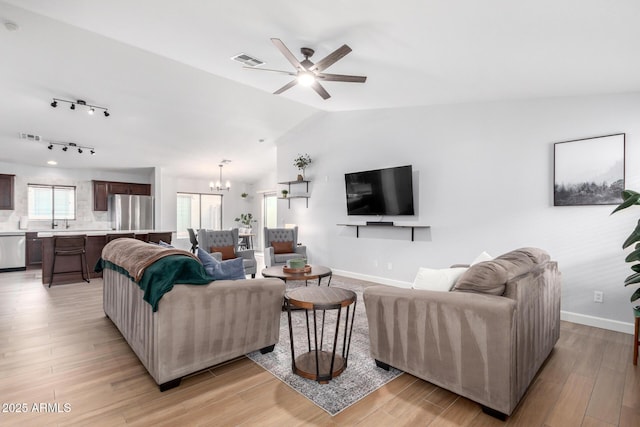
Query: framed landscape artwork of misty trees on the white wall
589,171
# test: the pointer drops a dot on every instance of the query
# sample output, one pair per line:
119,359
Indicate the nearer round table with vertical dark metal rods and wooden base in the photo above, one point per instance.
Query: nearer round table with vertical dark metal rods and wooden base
320,364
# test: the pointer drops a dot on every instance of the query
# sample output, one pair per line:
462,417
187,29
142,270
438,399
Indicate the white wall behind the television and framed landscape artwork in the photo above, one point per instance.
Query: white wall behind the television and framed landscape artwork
483,180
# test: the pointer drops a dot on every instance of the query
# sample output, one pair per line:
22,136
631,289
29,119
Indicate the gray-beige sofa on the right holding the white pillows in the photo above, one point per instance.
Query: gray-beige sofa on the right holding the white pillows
485,340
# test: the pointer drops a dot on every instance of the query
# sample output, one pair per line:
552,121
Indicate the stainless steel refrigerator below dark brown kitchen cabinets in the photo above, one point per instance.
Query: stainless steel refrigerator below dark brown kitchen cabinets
130,212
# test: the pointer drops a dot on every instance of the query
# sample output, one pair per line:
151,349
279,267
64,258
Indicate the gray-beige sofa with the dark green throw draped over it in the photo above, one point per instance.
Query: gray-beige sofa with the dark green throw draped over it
195,326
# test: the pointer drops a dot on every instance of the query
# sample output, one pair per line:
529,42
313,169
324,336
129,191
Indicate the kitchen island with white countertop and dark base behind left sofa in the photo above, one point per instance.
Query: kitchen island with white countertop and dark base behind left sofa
68,268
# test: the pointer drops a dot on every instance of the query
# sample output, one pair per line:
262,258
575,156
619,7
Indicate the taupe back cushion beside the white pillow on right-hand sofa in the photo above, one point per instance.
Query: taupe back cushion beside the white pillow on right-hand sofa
488,277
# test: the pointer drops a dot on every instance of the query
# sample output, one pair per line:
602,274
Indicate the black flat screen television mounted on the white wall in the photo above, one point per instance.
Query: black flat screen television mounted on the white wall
380,192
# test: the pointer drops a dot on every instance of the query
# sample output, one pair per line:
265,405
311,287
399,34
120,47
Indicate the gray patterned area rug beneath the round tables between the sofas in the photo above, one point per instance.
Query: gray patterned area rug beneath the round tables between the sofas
360,378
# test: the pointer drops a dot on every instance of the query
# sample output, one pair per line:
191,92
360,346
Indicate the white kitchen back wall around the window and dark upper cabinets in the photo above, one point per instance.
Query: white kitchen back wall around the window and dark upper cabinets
86,217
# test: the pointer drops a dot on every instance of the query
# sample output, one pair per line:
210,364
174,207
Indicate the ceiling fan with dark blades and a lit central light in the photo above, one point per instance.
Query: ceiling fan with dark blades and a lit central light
309,74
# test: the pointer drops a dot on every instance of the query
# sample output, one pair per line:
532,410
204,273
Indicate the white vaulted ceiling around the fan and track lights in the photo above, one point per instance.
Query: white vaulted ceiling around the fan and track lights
178,102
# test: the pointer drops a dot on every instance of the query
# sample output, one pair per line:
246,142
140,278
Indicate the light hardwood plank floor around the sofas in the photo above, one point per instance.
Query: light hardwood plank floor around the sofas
57,347
